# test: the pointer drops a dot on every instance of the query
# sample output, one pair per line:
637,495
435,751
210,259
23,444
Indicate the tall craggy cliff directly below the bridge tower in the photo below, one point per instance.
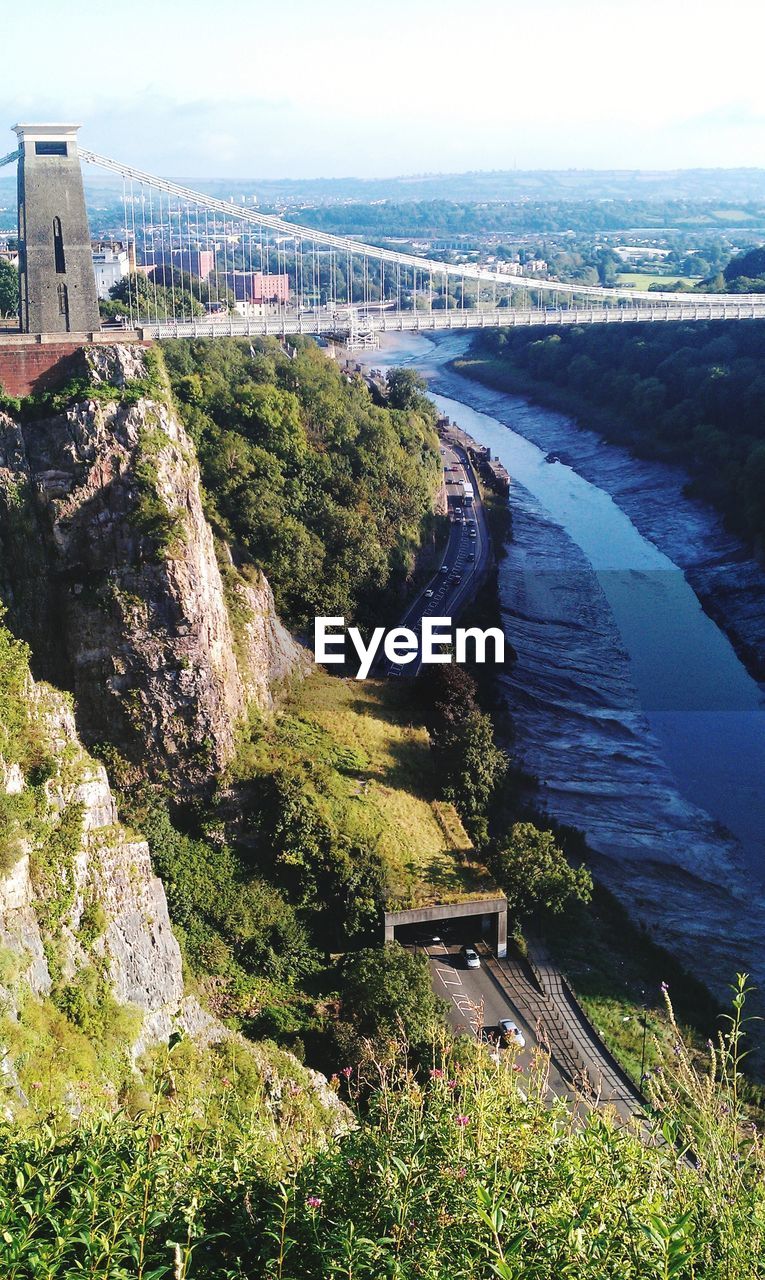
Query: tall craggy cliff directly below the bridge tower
112,574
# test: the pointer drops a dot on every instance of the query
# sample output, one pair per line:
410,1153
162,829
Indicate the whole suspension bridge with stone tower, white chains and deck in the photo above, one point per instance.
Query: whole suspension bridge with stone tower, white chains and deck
195,266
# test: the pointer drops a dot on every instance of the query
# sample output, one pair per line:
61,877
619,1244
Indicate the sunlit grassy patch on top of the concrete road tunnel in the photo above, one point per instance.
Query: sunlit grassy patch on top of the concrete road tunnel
373,774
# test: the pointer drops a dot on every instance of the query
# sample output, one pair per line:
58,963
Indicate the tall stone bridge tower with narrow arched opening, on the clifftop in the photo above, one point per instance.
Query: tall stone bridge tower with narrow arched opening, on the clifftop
57,281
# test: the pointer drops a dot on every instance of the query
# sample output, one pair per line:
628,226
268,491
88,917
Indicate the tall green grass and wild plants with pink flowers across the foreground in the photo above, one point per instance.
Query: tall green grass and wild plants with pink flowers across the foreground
466,1171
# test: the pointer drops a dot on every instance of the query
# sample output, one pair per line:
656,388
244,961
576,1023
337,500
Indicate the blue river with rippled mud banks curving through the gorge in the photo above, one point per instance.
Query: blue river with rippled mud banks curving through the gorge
630,702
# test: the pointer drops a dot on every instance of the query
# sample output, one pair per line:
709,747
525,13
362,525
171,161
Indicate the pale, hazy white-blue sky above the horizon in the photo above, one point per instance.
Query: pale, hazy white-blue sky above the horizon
306,89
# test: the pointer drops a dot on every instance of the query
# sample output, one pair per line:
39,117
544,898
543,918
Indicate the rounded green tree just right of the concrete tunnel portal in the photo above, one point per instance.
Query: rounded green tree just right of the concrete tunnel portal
535,875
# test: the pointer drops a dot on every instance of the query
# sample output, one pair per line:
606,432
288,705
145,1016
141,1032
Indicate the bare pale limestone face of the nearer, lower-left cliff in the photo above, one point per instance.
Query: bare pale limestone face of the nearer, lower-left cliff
106,867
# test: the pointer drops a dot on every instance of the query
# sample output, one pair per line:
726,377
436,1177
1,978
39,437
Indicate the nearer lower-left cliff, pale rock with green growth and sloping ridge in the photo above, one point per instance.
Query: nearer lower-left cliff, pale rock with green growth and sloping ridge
91,979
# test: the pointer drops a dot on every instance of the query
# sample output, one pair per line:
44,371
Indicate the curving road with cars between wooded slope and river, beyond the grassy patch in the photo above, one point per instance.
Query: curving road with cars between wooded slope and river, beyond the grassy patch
466,557
